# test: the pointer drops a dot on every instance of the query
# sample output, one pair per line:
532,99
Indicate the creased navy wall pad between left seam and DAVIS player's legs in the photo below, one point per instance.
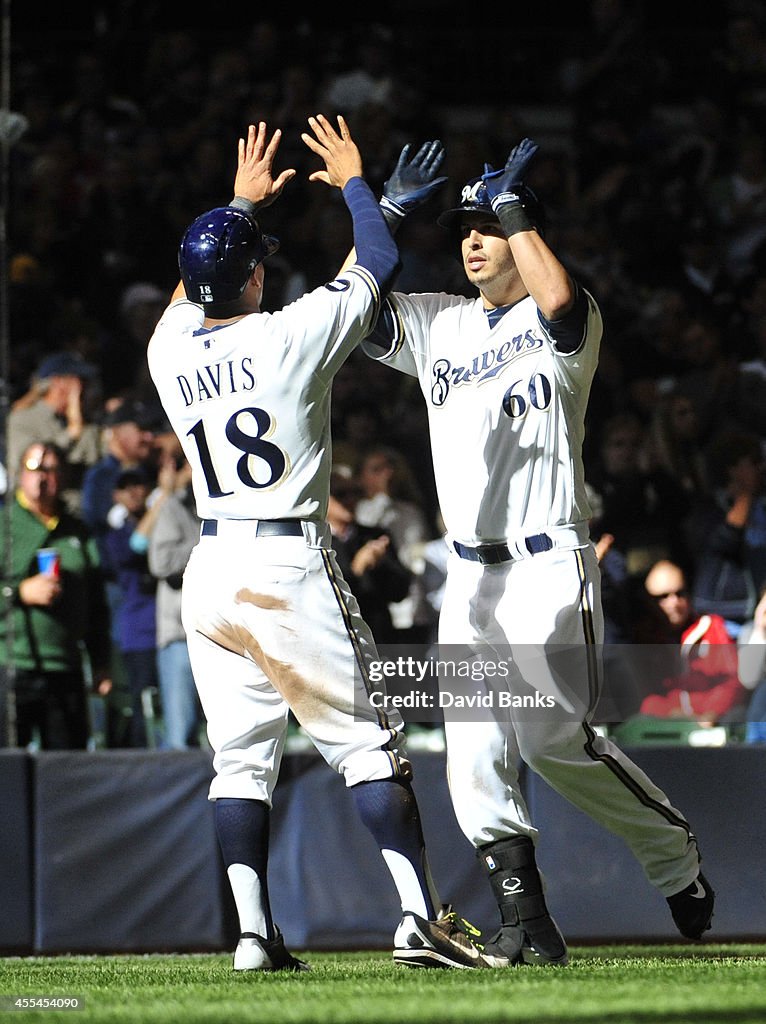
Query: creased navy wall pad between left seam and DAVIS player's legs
126,858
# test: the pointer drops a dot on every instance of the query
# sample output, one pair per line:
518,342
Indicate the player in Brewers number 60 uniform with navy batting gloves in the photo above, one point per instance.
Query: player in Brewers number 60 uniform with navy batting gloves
506,378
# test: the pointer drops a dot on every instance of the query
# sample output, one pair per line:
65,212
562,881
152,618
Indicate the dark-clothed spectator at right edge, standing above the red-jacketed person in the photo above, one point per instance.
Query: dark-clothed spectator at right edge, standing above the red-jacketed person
727,531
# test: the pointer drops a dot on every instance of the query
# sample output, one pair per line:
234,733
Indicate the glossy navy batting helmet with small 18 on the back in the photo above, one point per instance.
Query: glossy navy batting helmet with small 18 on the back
219,252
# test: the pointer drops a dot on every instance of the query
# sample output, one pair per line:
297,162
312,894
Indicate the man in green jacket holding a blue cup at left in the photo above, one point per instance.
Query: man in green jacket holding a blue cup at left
58,621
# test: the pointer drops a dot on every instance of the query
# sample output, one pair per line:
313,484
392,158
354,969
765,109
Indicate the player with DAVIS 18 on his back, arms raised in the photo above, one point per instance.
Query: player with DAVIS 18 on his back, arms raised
271,623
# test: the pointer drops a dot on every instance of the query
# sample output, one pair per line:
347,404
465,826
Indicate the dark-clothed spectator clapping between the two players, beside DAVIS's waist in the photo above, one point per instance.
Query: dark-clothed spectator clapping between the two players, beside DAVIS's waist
367,558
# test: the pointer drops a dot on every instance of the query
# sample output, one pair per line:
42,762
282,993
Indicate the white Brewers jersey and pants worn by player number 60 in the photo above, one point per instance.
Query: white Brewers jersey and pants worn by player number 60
506,415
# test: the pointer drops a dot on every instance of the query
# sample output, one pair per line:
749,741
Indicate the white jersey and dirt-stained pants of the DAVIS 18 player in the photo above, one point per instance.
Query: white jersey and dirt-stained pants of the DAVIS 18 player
271,623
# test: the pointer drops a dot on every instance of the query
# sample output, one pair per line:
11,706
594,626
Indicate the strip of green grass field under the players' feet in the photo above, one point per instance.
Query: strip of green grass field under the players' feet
603,986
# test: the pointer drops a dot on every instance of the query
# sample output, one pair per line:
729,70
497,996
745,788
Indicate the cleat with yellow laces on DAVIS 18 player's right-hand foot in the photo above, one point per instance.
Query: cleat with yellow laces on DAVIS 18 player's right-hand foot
442,944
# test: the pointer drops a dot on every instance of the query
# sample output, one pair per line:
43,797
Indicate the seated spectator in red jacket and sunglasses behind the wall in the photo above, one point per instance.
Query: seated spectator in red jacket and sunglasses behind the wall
706,688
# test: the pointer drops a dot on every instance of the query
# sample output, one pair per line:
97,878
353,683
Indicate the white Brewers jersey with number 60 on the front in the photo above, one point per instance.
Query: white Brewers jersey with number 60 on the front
506,413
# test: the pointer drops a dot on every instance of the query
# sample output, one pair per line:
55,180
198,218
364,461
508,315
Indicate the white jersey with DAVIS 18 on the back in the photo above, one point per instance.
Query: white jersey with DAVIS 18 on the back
250,401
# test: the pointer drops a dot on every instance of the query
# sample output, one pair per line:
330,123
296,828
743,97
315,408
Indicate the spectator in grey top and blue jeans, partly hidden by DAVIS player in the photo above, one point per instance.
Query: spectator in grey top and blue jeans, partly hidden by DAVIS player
176,533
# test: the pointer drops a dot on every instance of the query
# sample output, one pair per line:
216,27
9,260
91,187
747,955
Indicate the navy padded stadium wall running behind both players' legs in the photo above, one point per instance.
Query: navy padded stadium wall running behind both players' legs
115,851
